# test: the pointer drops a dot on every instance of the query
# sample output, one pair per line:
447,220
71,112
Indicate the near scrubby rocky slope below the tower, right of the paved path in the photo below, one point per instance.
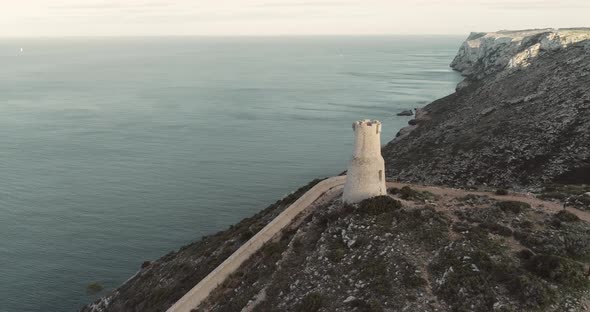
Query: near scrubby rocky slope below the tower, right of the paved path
419,252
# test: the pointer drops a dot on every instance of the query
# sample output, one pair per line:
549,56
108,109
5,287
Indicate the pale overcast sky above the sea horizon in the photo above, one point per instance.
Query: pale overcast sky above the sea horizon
282,17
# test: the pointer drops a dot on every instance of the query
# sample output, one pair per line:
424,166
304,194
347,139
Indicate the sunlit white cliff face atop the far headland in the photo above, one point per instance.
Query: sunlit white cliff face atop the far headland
483,54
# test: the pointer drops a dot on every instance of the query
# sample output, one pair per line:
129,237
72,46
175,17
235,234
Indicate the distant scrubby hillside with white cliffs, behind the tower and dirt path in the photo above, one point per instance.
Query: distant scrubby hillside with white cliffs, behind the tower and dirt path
516,123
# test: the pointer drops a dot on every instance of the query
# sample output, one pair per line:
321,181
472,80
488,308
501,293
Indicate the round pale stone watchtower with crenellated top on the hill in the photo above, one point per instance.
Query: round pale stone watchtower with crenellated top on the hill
366,171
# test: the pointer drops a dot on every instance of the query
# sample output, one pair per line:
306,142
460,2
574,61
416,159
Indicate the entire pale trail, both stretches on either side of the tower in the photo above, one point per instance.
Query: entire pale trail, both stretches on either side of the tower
320,194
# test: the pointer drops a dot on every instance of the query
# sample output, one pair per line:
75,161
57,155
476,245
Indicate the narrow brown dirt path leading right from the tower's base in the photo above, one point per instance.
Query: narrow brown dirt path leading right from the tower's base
527,198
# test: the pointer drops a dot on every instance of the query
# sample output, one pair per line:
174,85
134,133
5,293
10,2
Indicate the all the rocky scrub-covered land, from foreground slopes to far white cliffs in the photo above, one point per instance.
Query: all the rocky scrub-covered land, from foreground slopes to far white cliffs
500,157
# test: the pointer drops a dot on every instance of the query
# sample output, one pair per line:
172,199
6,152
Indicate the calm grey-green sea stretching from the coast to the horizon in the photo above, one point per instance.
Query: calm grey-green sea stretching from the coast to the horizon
116,151
